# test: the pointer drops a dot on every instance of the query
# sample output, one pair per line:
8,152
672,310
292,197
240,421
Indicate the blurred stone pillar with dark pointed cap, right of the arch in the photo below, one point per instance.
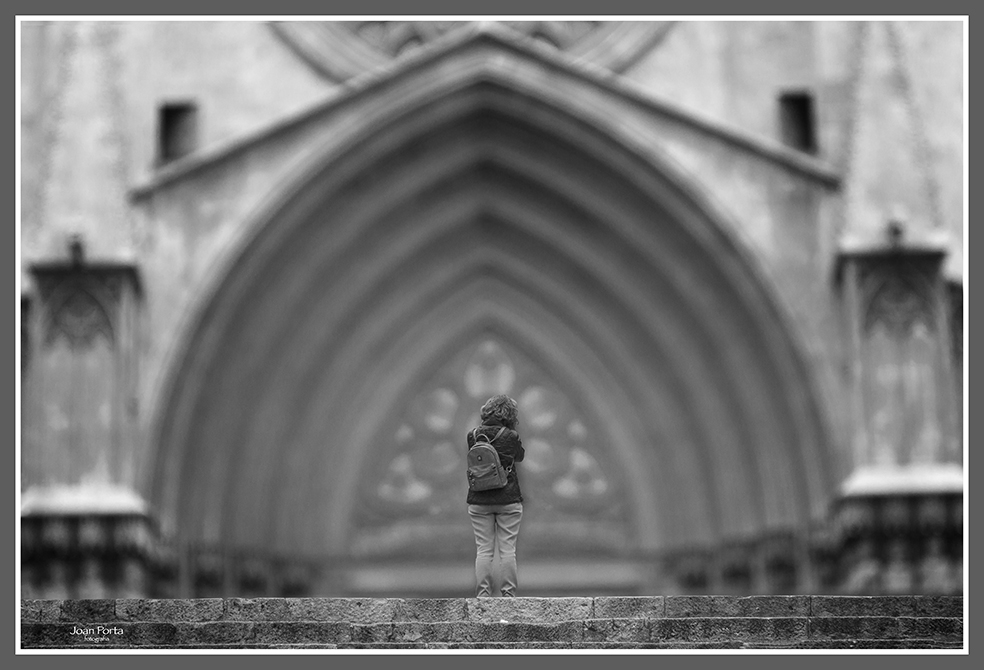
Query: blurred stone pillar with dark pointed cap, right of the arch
897,520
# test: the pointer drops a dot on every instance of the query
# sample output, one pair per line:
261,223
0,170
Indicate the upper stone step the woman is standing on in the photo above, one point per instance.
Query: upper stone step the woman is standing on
530,610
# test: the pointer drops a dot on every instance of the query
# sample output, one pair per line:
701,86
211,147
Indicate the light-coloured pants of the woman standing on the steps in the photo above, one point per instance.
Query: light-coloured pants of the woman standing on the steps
496,528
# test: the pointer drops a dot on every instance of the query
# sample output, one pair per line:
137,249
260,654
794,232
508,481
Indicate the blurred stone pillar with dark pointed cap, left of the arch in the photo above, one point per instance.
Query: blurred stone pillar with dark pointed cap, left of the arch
86,530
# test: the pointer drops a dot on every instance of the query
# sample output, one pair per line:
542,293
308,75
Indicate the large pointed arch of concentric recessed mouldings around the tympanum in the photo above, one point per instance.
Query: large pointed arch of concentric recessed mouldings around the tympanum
488,208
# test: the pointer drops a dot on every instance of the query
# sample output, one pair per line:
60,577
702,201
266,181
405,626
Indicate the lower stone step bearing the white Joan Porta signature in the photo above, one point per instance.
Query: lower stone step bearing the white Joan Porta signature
779,631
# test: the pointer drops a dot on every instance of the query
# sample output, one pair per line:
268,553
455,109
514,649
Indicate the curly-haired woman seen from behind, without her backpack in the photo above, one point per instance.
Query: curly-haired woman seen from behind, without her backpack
496,513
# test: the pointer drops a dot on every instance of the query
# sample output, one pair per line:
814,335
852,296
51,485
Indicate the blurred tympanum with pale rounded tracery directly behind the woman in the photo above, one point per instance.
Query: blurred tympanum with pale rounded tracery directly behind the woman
567,476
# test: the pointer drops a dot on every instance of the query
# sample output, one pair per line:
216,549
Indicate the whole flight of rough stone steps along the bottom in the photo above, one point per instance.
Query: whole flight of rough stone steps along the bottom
656,622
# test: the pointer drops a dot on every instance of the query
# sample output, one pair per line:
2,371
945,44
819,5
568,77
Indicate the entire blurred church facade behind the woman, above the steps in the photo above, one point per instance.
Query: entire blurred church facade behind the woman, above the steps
270,271
